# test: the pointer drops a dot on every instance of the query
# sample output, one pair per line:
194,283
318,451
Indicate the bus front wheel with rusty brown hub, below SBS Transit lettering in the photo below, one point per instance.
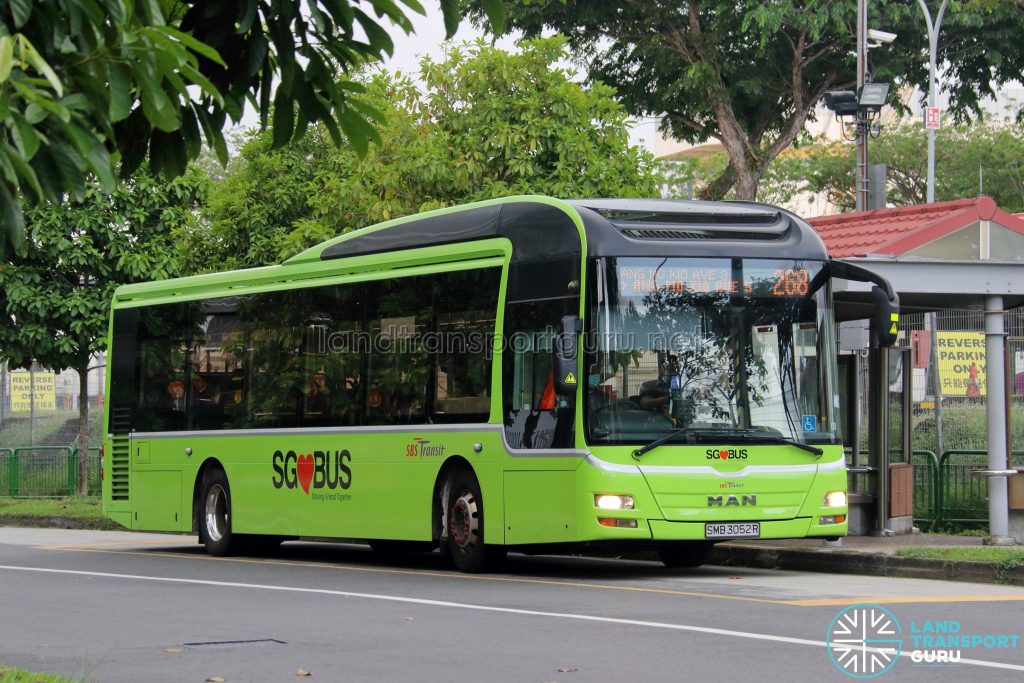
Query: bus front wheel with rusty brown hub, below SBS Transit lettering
465,541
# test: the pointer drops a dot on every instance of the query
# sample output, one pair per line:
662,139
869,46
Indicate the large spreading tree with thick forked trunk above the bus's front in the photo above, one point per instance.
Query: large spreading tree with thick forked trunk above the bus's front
751,74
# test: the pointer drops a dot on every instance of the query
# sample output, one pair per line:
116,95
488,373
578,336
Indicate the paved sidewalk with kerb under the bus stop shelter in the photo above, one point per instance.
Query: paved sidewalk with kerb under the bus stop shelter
867,556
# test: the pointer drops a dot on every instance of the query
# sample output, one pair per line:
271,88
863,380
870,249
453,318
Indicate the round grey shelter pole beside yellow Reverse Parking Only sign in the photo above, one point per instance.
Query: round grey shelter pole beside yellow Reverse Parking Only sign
996,392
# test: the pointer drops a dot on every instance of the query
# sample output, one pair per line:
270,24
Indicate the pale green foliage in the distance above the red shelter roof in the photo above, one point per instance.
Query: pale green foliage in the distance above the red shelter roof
984,158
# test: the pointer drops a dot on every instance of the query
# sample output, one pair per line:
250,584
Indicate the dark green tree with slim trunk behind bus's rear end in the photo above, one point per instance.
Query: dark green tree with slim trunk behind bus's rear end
57,291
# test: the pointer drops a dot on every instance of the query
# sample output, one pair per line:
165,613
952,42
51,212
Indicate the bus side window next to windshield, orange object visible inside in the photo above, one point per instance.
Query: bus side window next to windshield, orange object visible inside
536,417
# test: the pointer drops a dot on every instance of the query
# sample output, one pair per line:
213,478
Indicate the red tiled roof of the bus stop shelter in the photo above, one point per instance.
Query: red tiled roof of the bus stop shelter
895,232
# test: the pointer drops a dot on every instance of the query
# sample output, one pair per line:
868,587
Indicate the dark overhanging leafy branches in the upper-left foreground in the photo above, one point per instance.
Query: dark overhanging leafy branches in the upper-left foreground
88,83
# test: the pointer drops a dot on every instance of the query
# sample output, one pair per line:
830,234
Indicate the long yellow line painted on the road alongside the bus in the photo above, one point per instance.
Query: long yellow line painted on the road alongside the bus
110,548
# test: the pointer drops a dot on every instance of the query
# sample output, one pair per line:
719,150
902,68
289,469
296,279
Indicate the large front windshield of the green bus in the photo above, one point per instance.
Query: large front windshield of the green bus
713,350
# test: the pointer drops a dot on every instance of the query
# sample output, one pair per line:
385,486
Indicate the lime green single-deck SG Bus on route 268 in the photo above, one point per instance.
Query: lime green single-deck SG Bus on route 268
526,373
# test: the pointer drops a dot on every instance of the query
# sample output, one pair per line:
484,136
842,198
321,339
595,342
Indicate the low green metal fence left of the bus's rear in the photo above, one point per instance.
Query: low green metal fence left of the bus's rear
46,472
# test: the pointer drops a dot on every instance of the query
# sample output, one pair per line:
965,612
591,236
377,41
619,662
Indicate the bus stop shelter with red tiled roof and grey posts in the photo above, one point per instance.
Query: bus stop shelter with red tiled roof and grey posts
963,254
